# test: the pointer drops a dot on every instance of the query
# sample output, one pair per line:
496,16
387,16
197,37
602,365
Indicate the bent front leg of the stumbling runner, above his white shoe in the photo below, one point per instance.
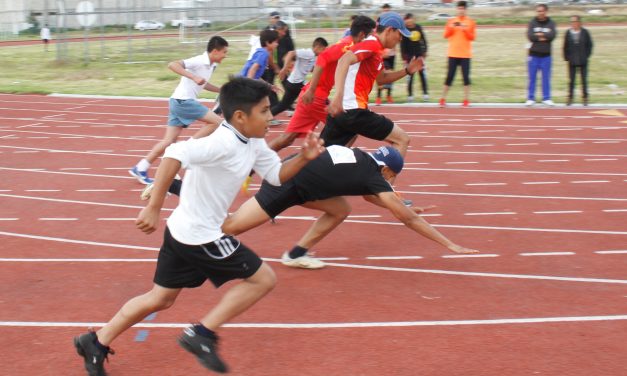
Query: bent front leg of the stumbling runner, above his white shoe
335,210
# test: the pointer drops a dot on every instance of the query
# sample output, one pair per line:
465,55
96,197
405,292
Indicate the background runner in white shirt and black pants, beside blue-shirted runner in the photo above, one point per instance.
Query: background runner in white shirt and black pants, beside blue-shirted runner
300,62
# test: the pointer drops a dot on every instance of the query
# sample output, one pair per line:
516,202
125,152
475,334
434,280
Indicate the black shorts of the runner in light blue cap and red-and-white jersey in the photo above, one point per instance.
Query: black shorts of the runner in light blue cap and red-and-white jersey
341,129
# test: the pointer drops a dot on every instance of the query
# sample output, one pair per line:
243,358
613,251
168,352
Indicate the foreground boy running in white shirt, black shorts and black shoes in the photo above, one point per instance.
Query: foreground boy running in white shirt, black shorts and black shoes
194,248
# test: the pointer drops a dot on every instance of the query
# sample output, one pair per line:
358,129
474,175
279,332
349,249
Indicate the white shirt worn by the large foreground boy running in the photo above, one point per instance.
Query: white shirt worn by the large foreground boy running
217,165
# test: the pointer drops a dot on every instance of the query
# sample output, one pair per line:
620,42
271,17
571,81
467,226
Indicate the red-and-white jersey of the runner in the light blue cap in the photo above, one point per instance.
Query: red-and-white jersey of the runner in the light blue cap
361,75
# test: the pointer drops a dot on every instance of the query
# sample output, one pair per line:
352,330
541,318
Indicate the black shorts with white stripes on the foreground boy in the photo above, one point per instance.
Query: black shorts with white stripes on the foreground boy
181,265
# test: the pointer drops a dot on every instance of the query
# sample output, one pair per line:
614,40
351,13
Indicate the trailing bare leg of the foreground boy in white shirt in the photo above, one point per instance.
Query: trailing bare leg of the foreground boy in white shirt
135,310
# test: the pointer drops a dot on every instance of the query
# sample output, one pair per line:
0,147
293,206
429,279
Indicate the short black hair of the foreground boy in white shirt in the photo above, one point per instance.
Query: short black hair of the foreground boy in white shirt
242,94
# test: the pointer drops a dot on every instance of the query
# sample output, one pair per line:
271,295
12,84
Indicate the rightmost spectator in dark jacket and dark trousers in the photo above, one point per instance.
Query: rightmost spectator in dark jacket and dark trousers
577,50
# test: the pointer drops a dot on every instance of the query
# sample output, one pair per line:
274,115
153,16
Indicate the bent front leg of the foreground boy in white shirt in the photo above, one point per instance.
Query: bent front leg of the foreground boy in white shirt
241,297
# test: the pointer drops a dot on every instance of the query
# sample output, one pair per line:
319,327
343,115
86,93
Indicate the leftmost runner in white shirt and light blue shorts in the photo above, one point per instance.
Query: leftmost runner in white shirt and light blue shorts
184,107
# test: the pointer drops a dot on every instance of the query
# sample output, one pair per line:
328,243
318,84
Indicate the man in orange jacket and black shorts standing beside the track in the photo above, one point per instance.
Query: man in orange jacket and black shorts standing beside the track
460,32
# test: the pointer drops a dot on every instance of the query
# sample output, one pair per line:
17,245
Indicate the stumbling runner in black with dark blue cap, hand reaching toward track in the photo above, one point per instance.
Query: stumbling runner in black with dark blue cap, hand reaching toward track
320,185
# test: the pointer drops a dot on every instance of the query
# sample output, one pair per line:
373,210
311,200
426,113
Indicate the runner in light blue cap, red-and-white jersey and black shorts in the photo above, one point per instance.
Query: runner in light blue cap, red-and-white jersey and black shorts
356,72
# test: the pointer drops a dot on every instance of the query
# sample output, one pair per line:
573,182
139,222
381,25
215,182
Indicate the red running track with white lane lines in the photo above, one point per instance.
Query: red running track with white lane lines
540,192
